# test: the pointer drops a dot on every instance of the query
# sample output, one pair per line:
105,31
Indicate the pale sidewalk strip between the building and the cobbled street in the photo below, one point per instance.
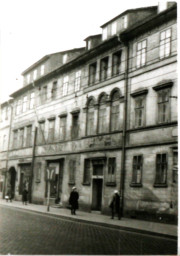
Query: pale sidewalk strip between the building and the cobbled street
123,224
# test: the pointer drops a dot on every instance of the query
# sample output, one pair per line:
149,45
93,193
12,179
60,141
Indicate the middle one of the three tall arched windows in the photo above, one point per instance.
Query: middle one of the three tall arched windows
102,114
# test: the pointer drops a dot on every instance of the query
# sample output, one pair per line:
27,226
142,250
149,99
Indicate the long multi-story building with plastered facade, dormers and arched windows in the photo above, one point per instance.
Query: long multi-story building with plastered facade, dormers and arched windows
104,120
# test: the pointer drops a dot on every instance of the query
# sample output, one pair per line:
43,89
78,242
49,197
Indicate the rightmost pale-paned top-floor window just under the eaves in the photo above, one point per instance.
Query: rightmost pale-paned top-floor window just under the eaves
165,43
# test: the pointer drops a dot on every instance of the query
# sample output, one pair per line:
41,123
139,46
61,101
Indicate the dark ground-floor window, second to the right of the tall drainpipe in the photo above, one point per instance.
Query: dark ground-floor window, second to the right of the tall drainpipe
161,170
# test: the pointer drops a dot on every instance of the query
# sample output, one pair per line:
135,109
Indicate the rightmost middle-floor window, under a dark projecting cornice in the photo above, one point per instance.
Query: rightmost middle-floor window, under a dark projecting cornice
163,106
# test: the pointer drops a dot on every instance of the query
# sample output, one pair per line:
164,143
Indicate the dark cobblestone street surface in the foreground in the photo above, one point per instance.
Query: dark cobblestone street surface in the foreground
23,232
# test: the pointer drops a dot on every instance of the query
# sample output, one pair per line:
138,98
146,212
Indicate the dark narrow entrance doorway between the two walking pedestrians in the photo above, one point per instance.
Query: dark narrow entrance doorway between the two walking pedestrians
97,194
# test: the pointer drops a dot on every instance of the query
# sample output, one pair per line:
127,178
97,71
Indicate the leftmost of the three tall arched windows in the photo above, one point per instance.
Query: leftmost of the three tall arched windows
90,118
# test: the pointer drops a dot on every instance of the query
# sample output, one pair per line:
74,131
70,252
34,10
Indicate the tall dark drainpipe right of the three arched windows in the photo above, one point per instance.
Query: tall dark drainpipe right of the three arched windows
123,157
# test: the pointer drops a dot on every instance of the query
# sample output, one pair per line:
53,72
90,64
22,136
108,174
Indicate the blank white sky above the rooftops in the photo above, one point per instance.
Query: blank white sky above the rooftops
31,29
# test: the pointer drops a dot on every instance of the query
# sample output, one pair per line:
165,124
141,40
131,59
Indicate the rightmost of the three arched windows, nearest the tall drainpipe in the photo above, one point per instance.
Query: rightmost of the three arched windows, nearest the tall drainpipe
115,111
